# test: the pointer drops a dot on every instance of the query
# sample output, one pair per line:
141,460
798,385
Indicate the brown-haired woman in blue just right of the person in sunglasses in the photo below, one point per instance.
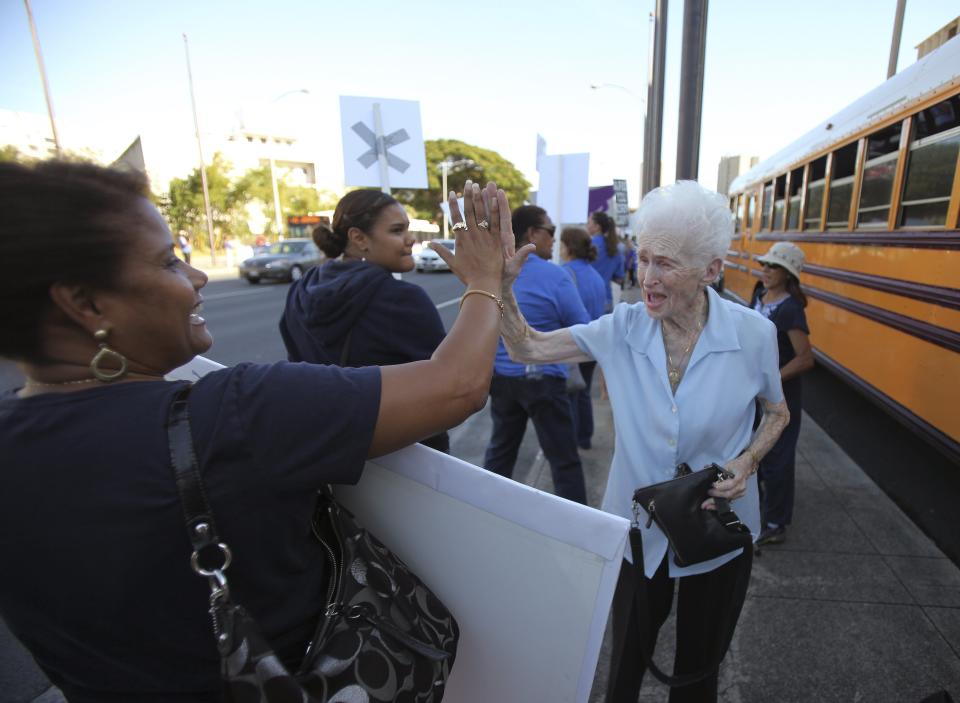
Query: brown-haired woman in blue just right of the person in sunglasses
577,251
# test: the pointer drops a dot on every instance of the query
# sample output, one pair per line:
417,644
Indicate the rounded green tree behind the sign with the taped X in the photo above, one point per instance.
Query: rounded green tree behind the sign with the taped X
466,162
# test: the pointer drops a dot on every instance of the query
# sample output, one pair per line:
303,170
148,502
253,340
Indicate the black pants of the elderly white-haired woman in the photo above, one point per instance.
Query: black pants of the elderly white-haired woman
701,601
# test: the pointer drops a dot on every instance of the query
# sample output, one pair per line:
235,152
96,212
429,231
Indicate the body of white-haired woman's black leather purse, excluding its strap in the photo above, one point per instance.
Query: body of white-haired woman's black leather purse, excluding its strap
694,534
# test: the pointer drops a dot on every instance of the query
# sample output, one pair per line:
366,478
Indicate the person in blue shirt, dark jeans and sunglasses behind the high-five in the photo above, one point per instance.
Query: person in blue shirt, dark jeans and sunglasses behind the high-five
519,392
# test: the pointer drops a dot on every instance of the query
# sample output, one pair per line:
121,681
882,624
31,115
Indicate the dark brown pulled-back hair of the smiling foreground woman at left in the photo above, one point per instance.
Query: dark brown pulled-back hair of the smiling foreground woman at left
60,222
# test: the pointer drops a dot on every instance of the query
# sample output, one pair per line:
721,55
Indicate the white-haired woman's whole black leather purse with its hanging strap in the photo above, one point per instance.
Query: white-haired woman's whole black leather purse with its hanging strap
695,535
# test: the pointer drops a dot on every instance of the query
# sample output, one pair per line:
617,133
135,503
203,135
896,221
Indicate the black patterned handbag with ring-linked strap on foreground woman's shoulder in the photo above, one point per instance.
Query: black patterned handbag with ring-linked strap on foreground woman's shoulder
383,637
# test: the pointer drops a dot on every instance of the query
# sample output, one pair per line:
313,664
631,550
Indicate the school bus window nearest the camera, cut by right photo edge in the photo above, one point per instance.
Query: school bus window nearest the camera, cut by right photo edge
931,165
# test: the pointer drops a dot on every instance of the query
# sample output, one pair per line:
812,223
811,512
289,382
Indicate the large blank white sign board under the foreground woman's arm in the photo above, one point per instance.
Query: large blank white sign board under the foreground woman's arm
529,576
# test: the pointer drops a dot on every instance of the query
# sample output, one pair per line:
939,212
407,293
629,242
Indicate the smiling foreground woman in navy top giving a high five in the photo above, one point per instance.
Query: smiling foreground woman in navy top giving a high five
96,579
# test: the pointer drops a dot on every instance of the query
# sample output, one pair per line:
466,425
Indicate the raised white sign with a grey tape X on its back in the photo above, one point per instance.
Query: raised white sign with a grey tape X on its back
399,139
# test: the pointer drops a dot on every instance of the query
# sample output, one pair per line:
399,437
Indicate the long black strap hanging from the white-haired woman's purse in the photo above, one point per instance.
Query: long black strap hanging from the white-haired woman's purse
726,629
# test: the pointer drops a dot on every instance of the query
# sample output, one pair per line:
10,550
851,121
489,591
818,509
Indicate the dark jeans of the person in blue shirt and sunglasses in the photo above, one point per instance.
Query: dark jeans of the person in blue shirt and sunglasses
545,401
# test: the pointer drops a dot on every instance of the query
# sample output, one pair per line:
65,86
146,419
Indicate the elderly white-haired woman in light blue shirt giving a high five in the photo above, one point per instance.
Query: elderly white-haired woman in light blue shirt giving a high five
684,369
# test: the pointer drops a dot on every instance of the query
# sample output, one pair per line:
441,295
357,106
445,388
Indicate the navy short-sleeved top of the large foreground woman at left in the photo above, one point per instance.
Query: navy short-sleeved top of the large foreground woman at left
97,582
